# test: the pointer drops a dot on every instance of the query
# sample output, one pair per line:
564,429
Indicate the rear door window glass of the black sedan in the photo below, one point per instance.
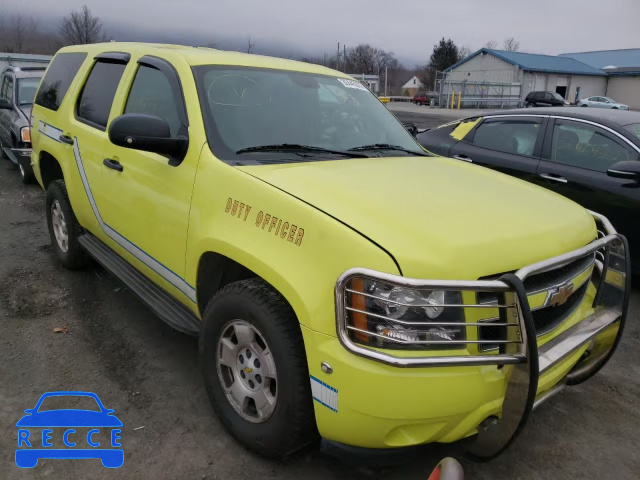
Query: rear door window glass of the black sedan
517,136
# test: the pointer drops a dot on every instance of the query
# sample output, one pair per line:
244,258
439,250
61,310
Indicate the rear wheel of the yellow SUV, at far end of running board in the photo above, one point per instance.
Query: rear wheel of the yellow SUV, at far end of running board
64,228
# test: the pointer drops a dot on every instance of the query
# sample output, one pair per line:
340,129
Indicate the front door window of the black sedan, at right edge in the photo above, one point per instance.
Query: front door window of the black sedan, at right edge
586,146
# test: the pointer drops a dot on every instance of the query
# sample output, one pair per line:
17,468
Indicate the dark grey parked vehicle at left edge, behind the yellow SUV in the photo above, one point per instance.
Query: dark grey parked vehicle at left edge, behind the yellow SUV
18,87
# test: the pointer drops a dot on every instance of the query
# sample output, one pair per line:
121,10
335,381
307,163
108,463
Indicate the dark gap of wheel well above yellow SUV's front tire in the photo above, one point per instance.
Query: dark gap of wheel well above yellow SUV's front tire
214,272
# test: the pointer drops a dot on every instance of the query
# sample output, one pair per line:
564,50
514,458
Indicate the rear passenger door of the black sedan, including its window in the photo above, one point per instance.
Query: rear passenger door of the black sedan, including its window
509,144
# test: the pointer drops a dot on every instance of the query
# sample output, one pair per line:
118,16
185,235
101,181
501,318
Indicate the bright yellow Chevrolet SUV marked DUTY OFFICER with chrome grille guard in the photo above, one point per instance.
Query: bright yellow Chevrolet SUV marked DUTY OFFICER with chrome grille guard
341,281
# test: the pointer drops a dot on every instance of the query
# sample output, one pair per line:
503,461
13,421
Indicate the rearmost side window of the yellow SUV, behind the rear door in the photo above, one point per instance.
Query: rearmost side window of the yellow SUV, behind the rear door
58,79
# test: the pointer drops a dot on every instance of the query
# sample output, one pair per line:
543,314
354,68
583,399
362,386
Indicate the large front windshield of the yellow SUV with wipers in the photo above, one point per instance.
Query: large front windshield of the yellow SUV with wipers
253,107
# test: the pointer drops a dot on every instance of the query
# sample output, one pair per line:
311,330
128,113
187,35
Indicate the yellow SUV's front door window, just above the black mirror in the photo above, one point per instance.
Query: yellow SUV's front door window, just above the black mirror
151,93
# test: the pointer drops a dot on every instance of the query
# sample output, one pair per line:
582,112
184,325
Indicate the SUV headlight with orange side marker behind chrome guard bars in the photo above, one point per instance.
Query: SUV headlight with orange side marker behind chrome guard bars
380,314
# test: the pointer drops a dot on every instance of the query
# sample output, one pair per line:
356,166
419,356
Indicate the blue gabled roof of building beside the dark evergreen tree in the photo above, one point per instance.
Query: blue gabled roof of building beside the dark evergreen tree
534,62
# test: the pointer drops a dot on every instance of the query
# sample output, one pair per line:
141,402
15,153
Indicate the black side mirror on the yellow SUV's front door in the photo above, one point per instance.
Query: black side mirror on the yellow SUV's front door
146,132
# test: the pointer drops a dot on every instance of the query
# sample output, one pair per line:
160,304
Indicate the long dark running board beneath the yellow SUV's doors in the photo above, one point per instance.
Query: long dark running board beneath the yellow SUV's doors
160,302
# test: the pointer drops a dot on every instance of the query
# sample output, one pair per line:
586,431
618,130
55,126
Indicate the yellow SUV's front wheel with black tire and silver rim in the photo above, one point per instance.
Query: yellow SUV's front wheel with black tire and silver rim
255,369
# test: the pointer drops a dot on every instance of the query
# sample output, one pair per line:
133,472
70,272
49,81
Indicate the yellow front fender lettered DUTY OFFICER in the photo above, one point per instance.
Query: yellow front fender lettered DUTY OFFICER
232,214
